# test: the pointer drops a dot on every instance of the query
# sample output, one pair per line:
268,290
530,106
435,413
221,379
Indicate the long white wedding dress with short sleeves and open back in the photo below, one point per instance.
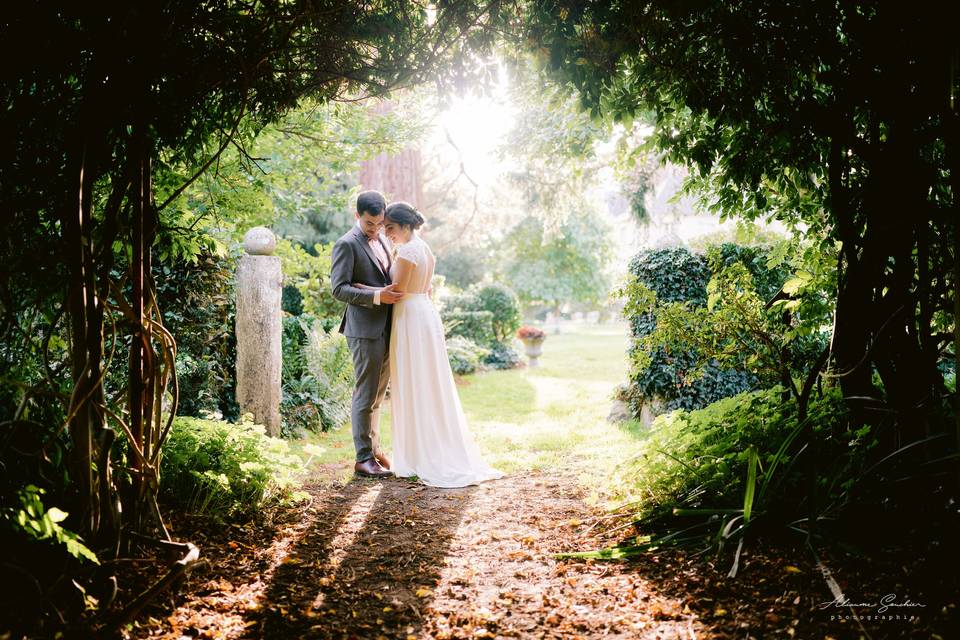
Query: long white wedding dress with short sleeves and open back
431,439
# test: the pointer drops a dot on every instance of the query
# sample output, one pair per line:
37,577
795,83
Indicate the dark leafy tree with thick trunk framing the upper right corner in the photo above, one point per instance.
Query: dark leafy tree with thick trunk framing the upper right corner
836,118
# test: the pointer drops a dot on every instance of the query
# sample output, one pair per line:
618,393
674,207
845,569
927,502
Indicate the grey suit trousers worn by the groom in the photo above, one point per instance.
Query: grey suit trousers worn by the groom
371,363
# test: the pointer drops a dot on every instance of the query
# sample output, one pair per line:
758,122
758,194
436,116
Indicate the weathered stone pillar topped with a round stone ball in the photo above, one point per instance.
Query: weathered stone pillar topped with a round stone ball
259,329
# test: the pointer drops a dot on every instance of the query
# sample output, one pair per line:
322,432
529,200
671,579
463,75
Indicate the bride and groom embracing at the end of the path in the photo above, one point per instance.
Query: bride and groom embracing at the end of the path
382,270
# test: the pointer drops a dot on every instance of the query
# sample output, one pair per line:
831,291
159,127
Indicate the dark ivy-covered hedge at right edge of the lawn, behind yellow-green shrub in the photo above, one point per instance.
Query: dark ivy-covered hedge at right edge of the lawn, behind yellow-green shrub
679,275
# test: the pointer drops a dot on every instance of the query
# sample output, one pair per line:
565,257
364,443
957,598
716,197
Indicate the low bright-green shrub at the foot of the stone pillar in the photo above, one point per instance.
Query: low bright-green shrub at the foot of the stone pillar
224,469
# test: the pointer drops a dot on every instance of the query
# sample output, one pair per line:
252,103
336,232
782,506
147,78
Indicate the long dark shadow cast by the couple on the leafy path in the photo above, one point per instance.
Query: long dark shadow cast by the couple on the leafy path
366,564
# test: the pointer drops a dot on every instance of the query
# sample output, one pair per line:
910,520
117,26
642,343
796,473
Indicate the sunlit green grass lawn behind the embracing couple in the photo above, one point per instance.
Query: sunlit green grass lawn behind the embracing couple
551,416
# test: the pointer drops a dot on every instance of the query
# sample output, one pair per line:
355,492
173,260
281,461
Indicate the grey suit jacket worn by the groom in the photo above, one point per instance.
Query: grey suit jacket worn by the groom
354,261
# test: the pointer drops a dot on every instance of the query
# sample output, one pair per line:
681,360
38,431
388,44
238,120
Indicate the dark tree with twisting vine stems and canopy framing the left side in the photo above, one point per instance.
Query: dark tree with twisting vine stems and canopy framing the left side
97,96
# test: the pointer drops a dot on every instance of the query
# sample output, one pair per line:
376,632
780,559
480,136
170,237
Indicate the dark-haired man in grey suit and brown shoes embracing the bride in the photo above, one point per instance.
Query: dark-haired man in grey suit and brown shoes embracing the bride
361,257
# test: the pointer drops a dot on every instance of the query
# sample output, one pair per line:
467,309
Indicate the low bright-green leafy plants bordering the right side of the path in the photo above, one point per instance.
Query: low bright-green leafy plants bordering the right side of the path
708,476
